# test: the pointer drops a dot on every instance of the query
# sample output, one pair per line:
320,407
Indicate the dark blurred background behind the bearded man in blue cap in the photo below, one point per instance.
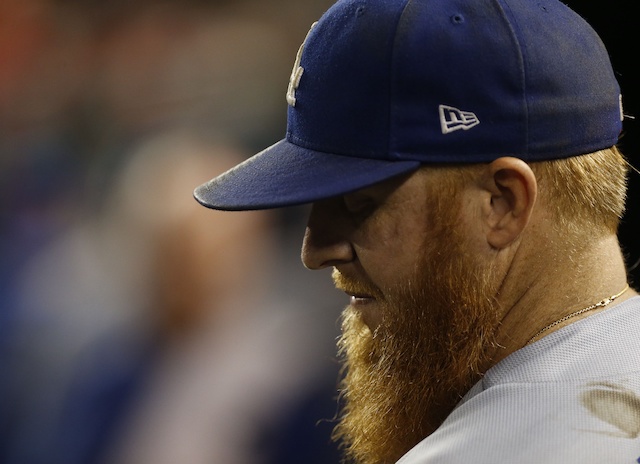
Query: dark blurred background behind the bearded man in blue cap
136,326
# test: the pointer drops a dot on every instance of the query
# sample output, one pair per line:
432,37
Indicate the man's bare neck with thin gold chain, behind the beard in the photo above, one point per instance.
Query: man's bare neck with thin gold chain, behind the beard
547,286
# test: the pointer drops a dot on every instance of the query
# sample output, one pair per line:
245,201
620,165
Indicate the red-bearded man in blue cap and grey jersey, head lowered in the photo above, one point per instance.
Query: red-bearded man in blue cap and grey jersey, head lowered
460,158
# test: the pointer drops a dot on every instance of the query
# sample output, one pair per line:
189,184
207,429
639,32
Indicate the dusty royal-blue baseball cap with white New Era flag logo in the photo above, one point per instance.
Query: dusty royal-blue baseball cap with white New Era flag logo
381,87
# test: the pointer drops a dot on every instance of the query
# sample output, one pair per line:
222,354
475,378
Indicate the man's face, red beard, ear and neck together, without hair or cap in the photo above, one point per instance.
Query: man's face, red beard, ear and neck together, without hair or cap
445,279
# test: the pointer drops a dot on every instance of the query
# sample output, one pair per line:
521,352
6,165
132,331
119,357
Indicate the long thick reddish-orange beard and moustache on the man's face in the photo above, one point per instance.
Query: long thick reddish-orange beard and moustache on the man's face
402,381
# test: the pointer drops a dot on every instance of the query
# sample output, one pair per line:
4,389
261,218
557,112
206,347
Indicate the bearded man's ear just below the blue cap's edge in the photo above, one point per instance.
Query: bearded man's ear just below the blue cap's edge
513,190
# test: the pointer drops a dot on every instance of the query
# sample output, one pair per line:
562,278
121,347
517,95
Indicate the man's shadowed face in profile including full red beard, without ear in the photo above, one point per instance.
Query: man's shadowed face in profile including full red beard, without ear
421,315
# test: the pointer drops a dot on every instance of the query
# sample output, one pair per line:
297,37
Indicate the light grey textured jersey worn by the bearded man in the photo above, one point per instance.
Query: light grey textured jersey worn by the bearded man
572,397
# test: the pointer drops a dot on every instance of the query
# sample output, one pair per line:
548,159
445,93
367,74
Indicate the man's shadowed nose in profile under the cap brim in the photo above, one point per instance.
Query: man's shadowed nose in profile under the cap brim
325,241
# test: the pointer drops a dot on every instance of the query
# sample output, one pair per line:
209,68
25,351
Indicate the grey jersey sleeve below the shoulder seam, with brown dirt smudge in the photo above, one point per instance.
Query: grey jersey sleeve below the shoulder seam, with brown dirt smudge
556,422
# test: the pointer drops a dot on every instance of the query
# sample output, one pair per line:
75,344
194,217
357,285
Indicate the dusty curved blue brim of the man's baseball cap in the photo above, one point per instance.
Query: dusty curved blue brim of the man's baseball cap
286,175
